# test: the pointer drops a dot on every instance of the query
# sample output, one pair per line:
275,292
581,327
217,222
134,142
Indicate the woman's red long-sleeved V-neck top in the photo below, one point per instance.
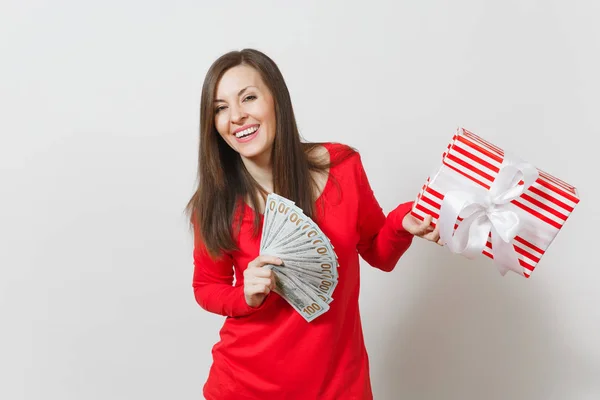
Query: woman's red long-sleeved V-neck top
271,352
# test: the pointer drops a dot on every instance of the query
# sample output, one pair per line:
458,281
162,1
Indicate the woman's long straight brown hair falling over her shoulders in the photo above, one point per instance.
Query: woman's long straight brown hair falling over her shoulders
224,182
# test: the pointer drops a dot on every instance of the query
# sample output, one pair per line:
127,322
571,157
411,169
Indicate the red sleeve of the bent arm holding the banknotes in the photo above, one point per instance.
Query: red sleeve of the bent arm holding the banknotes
213,285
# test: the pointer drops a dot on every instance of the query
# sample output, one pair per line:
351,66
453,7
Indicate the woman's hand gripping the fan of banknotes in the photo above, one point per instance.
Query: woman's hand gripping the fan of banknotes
259,281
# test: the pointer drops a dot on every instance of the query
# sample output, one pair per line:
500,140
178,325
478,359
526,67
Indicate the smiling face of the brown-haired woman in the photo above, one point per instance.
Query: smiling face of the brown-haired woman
245,113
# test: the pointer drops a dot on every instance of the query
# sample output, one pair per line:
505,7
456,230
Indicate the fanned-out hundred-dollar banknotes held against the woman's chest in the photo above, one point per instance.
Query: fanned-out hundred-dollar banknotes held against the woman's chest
309,274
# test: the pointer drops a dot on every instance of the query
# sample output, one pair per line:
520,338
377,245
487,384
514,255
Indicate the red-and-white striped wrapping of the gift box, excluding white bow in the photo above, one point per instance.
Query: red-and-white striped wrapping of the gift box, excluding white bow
544,206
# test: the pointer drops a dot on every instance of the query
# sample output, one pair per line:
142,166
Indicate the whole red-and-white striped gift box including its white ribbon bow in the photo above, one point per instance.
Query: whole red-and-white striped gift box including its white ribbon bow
489,202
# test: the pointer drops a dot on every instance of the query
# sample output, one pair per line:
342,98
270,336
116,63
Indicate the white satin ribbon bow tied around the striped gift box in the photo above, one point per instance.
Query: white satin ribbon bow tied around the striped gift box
484,211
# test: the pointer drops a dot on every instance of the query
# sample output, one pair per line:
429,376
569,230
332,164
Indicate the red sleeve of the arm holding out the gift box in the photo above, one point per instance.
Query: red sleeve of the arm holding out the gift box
382,240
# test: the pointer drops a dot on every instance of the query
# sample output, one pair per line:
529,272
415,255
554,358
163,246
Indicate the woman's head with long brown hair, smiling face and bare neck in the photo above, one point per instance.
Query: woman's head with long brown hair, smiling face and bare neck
243,91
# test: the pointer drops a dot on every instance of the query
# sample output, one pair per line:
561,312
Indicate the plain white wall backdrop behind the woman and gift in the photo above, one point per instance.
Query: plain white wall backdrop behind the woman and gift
99,130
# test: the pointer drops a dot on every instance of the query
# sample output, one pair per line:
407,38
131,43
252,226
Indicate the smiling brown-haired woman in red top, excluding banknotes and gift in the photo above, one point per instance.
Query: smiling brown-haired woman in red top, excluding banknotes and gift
249,147
